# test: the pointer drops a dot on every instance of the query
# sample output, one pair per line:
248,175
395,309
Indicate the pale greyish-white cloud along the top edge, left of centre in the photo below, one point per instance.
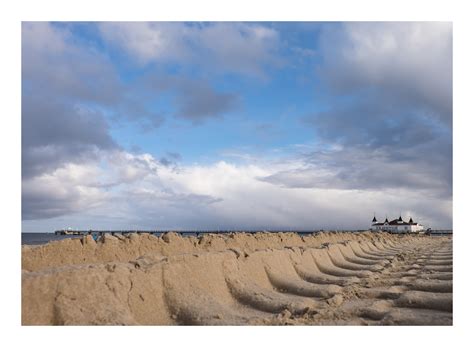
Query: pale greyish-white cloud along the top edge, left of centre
234,47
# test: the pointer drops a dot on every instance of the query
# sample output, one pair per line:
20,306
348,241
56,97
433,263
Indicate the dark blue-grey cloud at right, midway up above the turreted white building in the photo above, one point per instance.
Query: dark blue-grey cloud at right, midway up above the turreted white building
376,121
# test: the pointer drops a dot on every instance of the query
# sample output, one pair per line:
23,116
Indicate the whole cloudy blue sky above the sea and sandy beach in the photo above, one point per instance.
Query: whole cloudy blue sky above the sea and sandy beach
235,126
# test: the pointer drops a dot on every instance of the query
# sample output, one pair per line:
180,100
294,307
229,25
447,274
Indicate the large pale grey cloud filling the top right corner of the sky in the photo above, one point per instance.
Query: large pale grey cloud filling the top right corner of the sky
411,62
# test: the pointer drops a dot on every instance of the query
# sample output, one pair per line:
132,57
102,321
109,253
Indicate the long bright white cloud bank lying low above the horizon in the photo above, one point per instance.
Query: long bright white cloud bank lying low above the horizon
220,195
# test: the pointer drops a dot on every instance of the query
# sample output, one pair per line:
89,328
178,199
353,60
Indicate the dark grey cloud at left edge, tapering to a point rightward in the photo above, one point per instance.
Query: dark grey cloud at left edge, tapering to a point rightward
54,134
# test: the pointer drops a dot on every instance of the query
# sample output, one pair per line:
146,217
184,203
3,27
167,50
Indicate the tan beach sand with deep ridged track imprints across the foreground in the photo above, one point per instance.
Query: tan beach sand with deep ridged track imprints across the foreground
239,279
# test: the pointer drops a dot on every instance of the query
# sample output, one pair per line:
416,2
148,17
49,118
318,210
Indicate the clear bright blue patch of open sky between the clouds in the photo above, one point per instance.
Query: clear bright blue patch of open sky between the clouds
269,108
